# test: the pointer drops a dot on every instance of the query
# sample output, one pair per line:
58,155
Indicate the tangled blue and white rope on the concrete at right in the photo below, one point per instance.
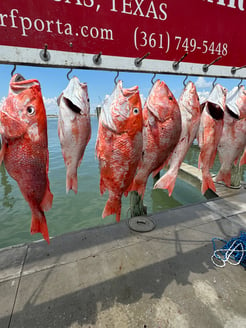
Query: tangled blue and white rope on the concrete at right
234,249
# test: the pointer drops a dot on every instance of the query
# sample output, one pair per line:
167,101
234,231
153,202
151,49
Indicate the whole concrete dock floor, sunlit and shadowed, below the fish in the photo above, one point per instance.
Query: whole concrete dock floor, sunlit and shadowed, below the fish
114,277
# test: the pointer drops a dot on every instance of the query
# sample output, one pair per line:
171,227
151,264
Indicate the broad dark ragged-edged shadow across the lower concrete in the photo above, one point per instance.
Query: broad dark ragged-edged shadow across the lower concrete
81,307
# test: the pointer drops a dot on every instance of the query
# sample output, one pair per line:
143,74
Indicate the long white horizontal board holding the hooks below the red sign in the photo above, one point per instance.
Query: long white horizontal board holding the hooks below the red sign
30,57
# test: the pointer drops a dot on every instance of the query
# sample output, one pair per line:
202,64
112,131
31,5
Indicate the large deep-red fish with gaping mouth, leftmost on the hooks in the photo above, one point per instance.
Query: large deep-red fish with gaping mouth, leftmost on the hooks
25,147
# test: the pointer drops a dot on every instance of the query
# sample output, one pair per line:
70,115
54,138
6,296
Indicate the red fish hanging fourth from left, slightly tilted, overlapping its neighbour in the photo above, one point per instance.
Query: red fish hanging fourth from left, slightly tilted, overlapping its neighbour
161,132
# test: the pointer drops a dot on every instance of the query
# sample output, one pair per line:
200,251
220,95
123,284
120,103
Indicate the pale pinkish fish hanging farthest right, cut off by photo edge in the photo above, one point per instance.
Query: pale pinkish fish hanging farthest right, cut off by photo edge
233,139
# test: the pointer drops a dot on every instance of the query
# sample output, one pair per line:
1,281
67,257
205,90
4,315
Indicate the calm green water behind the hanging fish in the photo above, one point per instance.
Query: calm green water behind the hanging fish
72,212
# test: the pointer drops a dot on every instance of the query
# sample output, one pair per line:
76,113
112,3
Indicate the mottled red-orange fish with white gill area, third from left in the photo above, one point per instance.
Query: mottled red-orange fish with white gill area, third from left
119,145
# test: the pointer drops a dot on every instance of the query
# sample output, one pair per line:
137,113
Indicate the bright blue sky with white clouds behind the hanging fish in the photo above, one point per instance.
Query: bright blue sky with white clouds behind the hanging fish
101,83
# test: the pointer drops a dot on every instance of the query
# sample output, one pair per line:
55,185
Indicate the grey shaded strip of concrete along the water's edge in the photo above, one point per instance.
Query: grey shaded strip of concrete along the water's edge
98,236
